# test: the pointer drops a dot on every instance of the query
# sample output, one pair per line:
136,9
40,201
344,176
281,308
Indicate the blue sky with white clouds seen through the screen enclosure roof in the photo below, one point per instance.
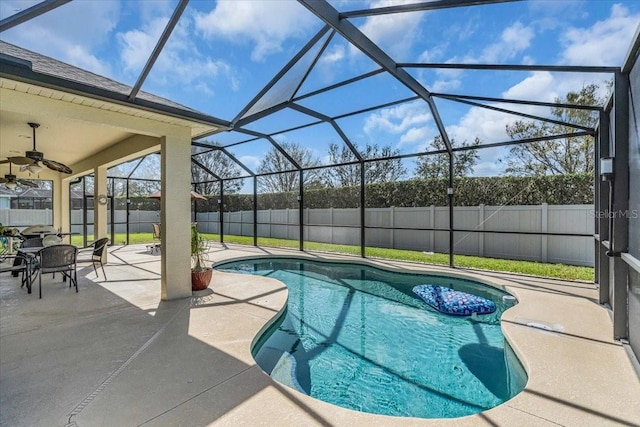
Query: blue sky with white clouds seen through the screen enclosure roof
222,54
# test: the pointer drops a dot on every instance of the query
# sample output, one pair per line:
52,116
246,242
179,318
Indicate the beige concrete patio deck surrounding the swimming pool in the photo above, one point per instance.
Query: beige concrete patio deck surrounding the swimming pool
115,355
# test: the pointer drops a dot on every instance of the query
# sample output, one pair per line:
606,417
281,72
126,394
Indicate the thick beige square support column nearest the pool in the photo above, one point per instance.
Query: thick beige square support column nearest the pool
175,215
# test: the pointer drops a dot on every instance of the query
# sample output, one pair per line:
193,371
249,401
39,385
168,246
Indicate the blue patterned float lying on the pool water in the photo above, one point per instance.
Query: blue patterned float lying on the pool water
455,303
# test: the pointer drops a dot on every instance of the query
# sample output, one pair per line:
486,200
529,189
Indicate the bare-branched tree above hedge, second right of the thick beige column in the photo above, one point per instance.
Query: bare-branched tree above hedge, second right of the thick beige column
274,161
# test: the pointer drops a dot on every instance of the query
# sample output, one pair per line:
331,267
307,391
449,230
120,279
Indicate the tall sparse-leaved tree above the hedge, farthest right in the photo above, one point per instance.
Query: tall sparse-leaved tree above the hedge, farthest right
560,156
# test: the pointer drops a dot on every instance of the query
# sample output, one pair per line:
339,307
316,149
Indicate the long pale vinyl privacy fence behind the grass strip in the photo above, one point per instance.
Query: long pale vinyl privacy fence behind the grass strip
342,226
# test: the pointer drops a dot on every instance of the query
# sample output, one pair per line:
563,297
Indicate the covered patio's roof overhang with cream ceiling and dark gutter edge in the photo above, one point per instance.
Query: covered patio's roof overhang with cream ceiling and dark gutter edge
79,120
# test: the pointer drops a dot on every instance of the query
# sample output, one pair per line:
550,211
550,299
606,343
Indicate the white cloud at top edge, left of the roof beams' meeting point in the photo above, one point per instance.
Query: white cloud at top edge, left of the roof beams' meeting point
266,24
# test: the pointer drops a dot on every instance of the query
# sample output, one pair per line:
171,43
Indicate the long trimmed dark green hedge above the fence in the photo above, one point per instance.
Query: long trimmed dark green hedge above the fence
494,191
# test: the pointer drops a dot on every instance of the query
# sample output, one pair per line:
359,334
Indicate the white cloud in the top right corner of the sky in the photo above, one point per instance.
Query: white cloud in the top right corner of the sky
604,43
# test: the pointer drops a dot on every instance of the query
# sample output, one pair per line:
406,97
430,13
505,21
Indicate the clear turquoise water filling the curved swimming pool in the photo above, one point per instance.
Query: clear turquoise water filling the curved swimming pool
357,337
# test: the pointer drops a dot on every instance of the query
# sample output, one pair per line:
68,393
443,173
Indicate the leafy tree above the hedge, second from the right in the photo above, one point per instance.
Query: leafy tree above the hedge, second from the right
436,166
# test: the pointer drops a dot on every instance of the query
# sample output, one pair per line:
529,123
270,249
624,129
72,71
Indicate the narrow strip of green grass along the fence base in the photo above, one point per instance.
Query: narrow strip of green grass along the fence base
558,271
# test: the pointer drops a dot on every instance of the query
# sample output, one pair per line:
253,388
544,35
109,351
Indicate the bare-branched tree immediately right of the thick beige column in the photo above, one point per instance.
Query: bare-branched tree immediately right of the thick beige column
221,165
